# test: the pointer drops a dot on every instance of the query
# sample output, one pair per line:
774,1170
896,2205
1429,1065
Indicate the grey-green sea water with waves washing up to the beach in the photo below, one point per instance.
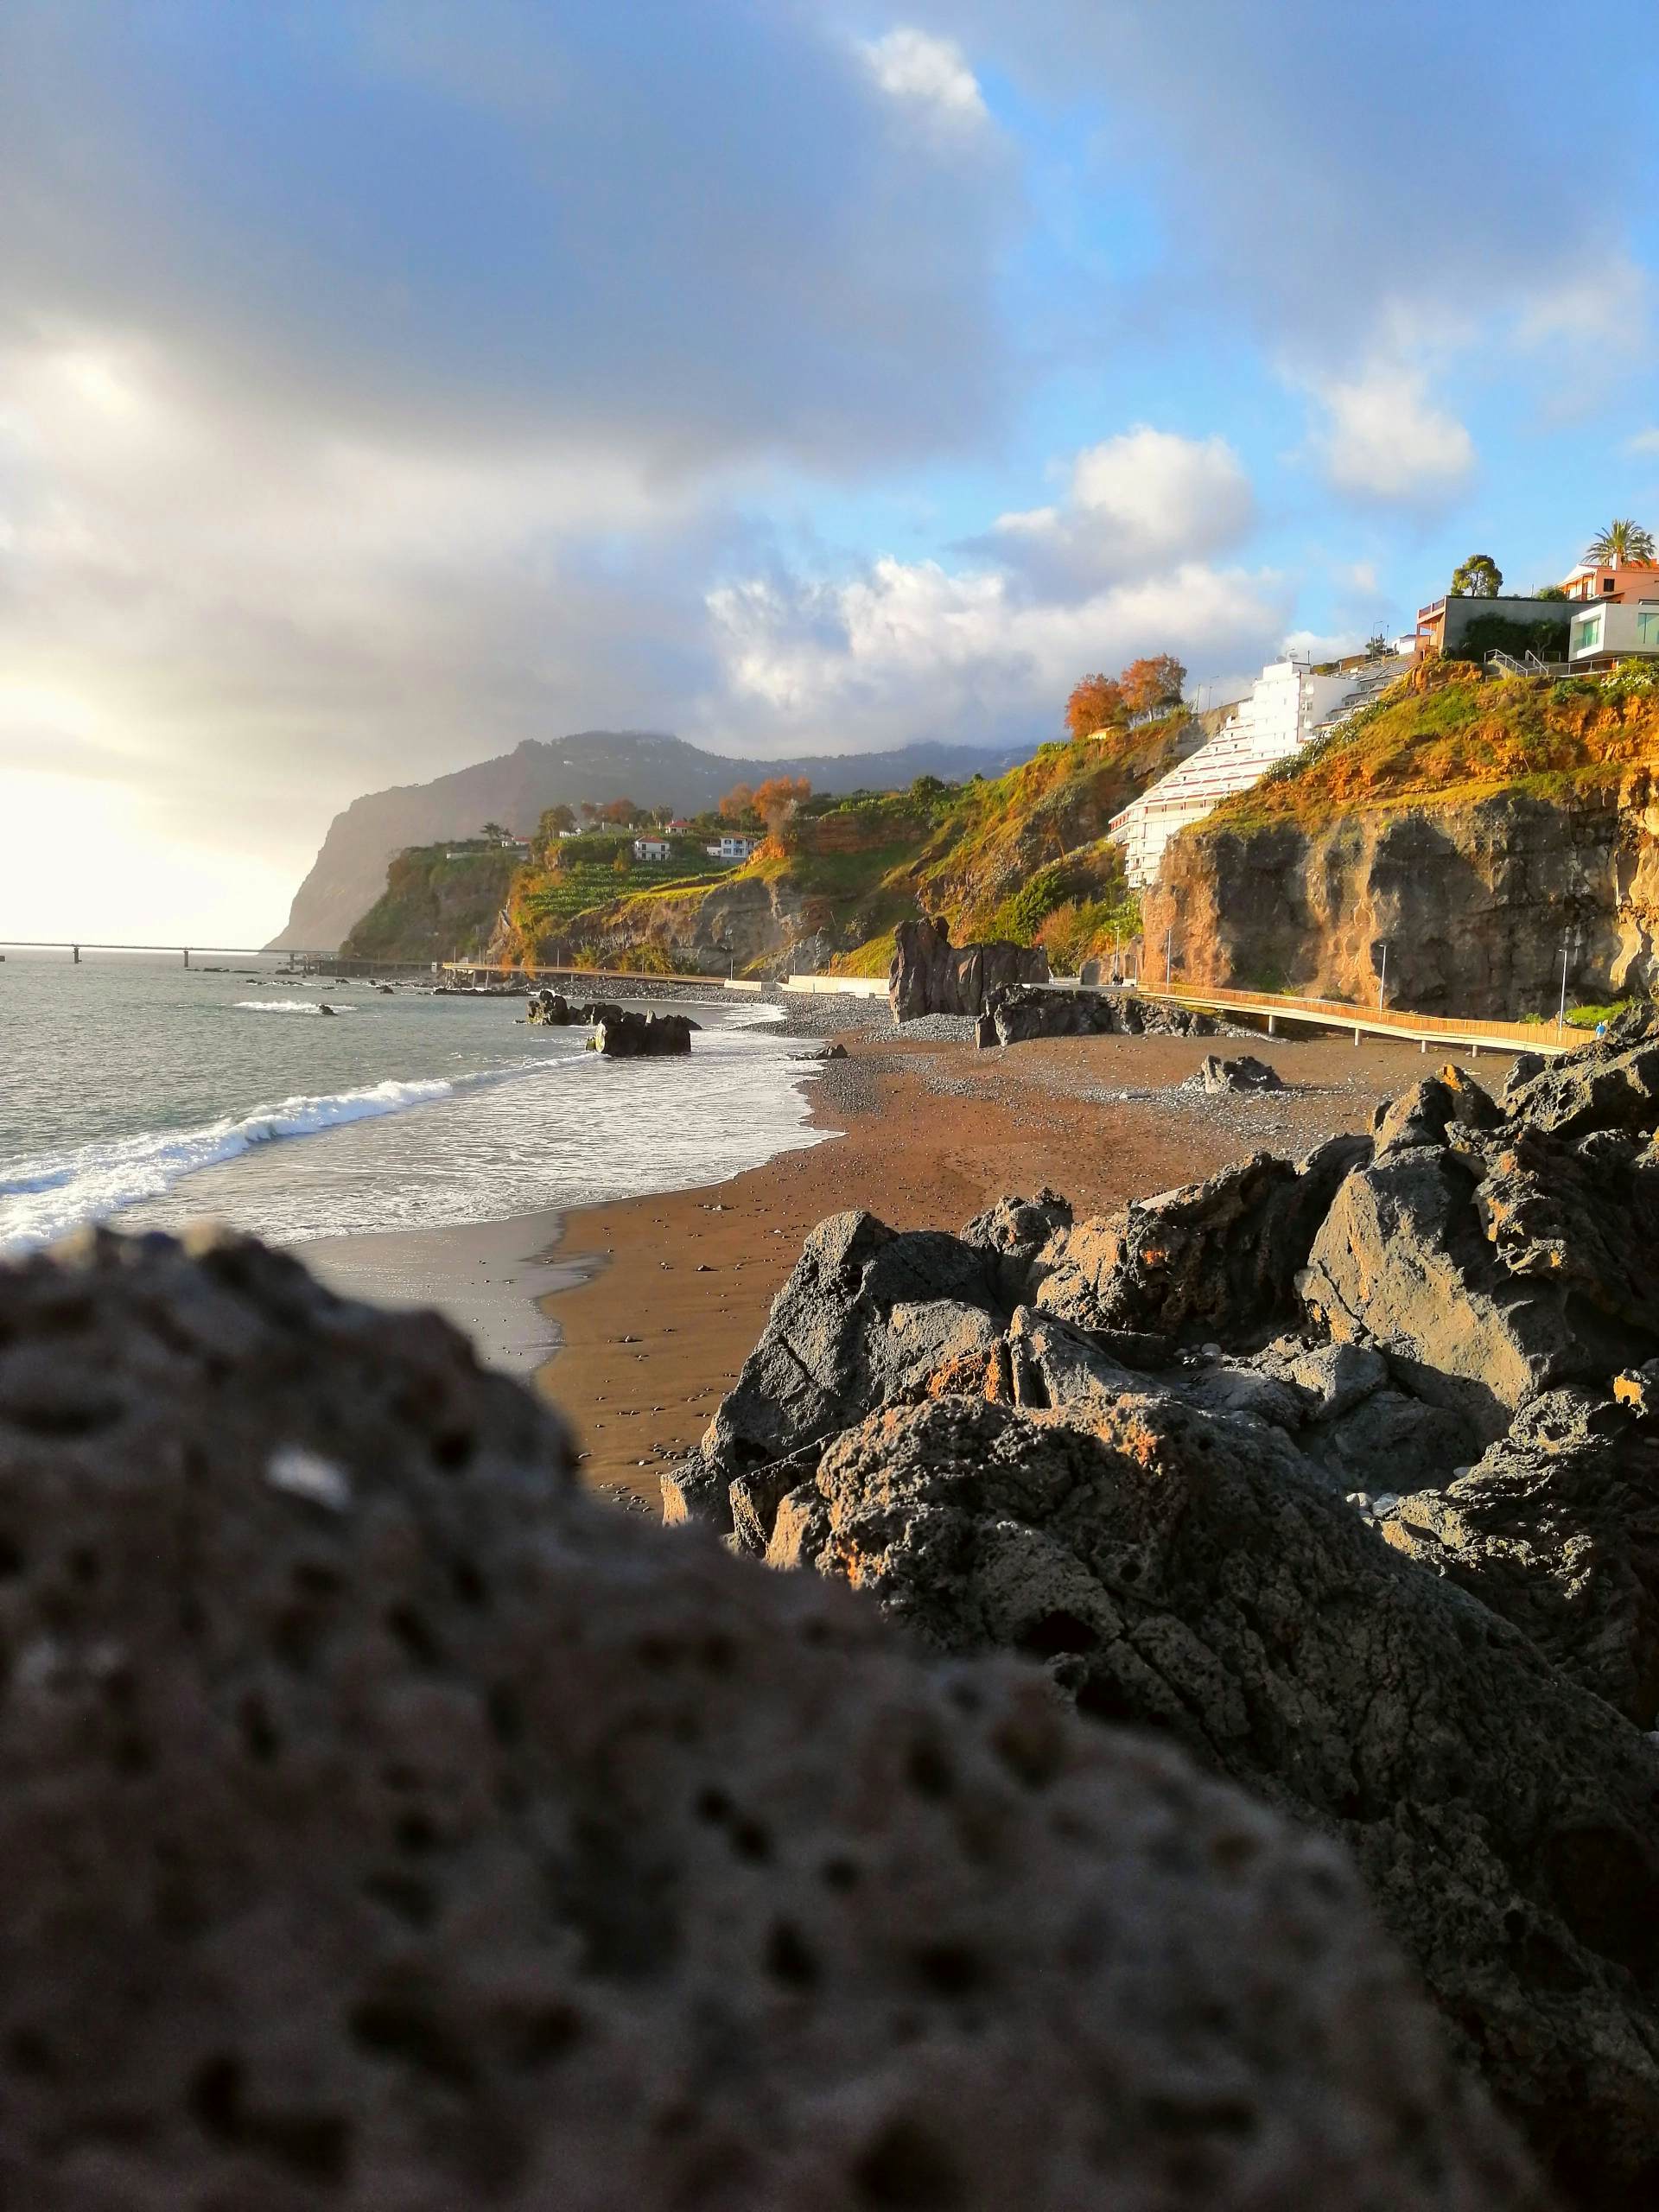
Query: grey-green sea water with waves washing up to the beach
152,1094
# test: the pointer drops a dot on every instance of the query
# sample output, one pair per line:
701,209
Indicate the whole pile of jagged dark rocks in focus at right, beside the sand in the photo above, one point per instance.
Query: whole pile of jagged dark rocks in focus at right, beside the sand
1339,1474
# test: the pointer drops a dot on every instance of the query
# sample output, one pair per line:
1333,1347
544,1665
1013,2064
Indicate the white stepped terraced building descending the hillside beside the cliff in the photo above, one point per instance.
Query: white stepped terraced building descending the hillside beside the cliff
1286,707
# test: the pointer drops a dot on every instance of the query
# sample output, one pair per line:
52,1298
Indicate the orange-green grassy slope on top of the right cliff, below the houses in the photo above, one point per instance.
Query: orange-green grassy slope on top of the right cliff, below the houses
1450,733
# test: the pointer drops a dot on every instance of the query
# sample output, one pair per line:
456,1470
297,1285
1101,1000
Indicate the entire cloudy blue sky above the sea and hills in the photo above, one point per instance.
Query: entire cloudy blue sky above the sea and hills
388,382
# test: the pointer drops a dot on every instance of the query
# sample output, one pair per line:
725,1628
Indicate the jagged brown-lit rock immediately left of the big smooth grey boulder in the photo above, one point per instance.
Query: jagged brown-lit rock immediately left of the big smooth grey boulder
1211,1260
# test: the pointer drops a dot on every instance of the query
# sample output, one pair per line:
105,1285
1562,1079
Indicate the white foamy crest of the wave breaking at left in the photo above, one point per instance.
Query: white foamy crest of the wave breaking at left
121,1171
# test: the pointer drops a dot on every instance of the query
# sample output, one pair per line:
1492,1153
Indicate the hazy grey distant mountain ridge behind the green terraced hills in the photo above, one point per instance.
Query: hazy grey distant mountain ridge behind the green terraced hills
514,789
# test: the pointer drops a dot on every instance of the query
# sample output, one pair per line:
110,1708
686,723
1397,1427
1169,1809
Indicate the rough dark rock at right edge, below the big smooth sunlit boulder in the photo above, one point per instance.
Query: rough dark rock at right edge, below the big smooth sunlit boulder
1558,1530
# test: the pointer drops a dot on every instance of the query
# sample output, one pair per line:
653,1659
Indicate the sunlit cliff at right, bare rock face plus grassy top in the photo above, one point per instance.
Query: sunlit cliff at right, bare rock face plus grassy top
1479,831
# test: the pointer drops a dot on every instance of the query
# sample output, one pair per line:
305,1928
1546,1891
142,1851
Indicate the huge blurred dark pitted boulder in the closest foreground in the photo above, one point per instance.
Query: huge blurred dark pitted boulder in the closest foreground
386,1826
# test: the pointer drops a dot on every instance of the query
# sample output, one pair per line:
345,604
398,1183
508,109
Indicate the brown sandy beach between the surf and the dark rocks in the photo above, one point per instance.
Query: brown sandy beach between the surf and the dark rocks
660,1300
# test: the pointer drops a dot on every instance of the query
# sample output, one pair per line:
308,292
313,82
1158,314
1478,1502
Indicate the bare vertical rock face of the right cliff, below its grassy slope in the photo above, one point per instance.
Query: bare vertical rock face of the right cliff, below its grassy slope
1474,899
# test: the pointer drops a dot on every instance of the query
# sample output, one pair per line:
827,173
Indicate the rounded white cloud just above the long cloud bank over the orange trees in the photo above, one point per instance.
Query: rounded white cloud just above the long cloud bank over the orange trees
1138,501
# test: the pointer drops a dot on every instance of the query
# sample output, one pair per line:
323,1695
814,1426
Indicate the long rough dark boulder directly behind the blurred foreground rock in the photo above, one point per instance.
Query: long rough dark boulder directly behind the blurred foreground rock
1180,1572
